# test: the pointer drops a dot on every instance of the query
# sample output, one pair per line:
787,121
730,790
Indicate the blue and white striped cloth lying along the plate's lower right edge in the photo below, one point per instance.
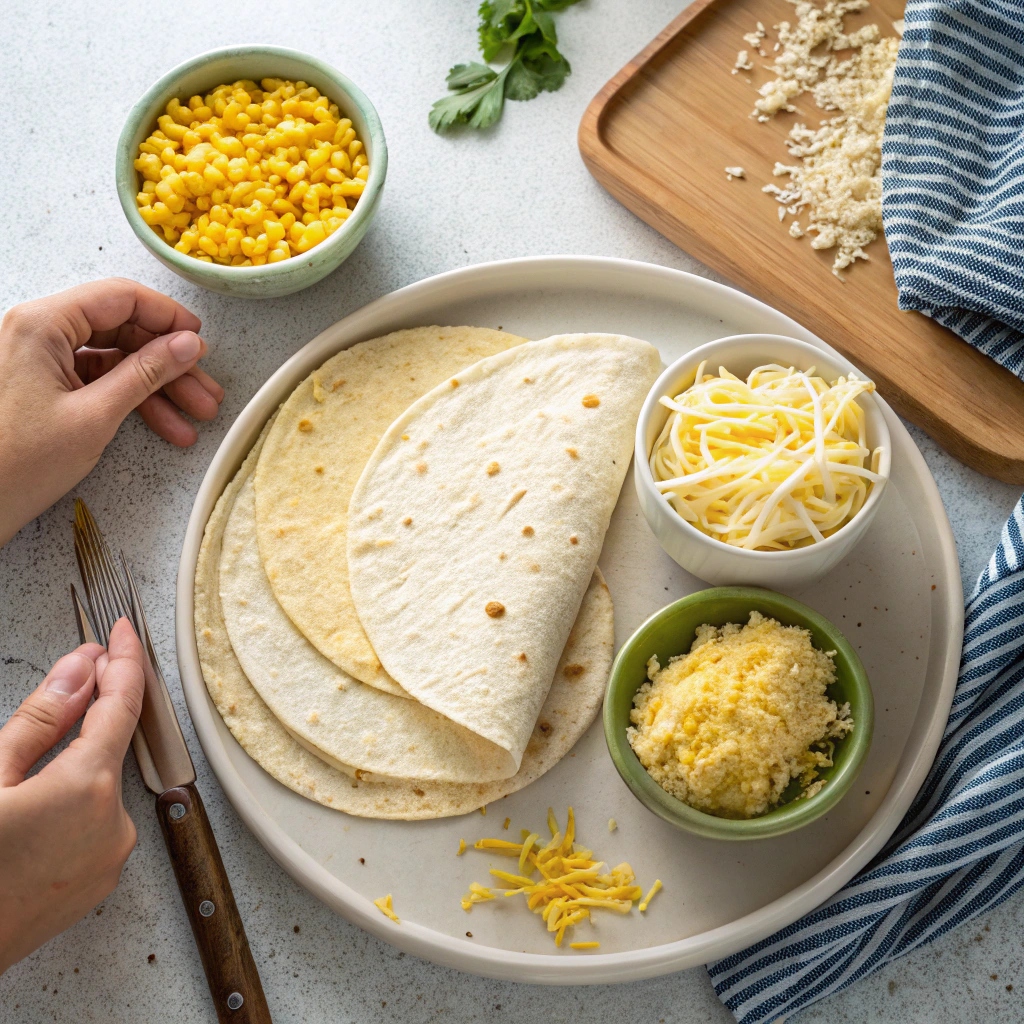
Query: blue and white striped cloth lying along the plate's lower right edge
958,854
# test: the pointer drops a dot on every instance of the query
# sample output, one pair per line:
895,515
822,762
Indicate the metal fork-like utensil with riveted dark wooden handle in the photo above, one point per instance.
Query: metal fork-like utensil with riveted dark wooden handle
168,772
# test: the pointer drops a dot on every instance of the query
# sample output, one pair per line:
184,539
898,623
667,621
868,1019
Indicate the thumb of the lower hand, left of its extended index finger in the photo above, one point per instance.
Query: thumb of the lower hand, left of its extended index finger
48,714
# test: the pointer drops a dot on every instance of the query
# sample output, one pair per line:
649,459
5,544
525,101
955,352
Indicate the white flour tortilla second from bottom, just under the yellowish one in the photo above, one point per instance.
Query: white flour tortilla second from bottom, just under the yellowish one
357,724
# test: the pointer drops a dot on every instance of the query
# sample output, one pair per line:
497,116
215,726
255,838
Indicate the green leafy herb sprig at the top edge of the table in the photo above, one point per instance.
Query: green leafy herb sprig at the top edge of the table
525,30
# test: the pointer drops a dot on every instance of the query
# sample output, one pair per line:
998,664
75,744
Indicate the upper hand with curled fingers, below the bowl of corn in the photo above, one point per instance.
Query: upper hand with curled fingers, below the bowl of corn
72,367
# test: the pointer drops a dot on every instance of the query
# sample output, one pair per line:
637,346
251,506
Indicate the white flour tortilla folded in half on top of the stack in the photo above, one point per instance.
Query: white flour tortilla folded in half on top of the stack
477,525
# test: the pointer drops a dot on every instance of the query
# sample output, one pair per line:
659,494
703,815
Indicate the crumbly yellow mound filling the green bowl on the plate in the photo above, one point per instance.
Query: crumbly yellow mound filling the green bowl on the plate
729,727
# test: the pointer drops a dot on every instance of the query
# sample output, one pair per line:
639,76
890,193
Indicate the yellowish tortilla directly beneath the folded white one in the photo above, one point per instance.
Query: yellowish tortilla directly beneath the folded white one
324,436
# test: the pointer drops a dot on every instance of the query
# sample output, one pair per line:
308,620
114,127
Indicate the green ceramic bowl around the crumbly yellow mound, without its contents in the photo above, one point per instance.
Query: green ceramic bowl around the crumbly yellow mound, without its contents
671,632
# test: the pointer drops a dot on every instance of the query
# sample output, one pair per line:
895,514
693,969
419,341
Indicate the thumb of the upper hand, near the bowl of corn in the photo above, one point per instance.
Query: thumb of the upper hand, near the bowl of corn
141,374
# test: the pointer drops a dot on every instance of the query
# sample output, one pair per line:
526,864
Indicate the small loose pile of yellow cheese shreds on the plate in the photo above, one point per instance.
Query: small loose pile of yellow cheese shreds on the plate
562,882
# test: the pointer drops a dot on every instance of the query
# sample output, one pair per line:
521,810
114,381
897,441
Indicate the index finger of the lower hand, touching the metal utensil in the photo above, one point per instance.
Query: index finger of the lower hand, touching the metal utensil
110,722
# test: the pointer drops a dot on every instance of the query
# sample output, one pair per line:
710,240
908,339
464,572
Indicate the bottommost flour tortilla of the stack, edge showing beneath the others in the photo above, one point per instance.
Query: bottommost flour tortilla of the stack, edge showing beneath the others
572,705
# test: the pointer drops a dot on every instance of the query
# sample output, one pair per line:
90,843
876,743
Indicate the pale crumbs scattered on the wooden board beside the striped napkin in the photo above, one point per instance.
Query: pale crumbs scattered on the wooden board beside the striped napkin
838,175
